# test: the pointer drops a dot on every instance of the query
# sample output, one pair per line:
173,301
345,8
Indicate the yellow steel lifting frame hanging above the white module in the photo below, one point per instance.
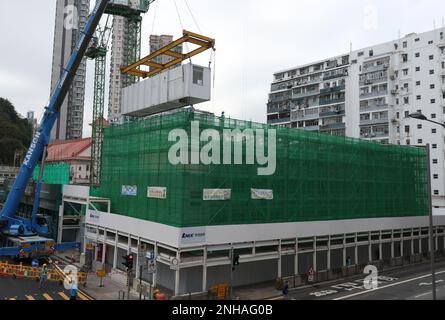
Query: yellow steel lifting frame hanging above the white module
203,43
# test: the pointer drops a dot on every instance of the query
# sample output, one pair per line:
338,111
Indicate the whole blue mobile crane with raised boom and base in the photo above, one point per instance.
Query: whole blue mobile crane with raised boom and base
23,237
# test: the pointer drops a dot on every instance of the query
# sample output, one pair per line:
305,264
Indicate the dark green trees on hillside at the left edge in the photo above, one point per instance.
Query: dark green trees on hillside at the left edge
15,133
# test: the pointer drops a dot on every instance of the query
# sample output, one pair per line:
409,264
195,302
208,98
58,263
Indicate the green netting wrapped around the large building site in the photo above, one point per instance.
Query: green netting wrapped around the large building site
318,177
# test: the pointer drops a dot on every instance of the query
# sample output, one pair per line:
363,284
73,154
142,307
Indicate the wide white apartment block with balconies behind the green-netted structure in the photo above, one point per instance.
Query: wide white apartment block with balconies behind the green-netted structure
369,94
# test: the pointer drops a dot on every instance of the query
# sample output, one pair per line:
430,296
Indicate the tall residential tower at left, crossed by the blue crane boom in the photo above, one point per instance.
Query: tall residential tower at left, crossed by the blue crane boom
71,18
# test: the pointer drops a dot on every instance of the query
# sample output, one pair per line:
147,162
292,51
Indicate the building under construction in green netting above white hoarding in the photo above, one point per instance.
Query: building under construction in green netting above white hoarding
333,203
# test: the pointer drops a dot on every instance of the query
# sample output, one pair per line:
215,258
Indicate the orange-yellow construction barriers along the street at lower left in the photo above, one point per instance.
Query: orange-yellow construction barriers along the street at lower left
25,272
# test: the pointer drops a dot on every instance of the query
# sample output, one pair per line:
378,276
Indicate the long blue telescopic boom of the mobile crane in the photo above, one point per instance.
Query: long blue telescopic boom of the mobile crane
51,113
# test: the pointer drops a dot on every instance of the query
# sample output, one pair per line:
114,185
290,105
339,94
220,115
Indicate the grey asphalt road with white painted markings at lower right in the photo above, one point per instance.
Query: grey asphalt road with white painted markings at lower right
413,283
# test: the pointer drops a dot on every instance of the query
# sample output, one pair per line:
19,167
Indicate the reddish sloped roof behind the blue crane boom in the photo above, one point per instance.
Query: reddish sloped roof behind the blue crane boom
68,150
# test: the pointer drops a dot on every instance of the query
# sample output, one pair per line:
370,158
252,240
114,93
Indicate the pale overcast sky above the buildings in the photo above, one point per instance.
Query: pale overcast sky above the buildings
254,39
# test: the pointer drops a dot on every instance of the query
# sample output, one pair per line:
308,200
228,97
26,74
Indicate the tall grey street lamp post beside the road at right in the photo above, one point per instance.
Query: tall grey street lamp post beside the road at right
420,116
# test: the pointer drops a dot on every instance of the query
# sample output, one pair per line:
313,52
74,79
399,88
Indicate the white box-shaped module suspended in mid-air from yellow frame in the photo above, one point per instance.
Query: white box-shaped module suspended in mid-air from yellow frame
179,87
